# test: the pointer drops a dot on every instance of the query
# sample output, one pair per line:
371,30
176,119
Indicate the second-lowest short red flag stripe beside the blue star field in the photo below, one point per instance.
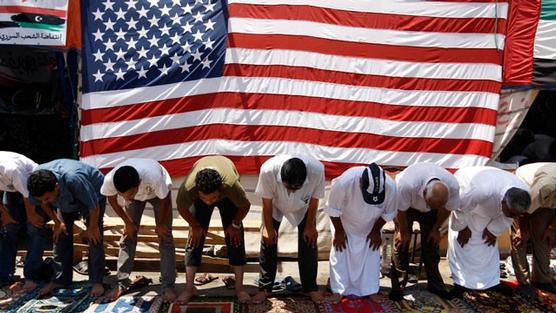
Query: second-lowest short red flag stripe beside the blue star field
365,50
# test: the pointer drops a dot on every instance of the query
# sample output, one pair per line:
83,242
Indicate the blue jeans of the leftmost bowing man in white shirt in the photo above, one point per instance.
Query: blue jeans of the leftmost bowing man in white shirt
13,234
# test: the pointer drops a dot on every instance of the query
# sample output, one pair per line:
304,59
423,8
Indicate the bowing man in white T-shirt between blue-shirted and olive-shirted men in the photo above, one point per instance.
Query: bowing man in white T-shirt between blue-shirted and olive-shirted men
139,181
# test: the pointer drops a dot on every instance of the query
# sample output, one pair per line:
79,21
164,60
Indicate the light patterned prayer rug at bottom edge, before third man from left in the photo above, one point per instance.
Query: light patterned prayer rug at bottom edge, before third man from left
143,304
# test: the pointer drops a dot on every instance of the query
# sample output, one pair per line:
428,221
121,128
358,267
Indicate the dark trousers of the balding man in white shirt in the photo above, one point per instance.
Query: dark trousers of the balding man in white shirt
429,253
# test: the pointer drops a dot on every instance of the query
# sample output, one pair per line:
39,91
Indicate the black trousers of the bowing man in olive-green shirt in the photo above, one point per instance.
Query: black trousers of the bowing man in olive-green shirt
203,212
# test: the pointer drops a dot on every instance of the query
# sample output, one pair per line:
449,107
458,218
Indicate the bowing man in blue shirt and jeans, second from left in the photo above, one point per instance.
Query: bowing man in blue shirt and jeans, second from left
69,190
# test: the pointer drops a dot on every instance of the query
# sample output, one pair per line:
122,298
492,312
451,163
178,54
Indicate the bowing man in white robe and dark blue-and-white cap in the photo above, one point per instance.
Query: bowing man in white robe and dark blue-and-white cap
361,201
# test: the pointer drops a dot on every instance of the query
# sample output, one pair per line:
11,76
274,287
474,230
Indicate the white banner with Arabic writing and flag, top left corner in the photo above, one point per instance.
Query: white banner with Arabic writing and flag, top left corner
33,22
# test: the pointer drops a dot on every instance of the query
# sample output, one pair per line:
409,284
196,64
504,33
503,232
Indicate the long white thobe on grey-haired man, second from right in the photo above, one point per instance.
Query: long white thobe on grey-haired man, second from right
482,189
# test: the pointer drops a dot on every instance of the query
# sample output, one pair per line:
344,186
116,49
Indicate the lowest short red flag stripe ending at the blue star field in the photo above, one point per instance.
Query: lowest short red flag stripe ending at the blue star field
354,79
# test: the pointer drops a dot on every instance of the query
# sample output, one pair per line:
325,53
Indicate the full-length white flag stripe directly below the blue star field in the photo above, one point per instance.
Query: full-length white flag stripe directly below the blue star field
286,86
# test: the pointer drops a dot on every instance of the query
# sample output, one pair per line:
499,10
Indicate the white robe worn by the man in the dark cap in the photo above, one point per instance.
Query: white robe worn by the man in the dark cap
356,270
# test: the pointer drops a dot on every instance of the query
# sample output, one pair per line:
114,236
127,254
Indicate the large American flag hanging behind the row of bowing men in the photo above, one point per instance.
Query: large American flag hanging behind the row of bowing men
346,81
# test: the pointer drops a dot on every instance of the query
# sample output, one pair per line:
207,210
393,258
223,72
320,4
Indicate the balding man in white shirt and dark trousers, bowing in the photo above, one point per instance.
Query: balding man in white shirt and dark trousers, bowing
426,194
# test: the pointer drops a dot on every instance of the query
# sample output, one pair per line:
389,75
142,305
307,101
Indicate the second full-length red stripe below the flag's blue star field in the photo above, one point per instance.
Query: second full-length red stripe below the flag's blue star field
286,134
